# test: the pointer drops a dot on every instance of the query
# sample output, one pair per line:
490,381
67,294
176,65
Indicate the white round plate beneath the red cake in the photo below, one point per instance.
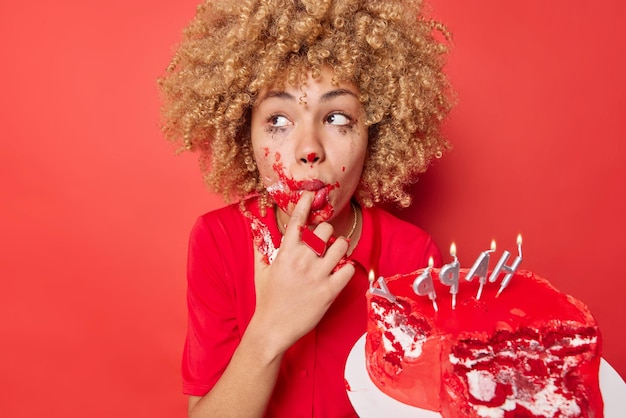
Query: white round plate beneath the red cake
369,401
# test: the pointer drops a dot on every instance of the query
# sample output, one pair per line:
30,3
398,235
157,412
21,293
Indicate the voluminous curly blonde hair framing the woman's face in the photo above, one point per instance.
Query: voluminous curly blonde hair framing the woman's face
233,49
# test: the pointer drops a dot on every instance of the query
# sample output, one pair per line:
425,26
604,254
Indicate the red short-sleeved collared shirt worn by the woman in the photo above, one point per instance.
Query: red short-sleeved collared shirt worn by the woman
221,301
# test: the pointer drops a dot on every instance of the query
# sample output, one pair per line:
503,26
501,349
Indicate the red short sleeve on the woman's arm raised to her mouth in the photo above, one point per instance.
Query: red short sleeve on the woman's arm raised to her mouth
213,327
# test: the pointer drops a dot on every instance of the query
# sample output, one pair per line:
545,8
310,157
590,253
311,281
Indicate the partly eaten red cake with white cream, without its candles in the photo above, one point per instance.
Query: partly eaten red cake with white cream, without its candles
532,351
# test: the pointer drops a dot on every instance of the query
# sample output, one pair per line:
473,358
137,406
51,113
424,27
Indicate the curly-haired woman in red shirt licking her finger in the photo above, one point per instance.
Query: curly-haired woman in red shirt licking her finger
307,114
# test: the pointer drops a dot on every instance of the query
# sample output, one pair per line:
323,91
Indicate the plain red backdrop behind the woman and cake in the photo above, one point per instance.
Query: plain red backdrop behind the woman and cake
96,208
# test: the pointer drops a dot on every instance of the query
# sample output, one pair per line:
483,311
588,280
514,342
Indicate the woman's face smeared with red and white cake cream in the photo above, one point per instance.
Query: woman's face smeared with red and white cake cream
310,137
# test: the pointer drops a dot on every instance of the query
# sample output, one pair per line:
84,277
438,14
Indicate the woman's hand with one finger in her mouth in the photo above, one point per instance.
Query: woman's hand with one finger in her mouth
296,290
